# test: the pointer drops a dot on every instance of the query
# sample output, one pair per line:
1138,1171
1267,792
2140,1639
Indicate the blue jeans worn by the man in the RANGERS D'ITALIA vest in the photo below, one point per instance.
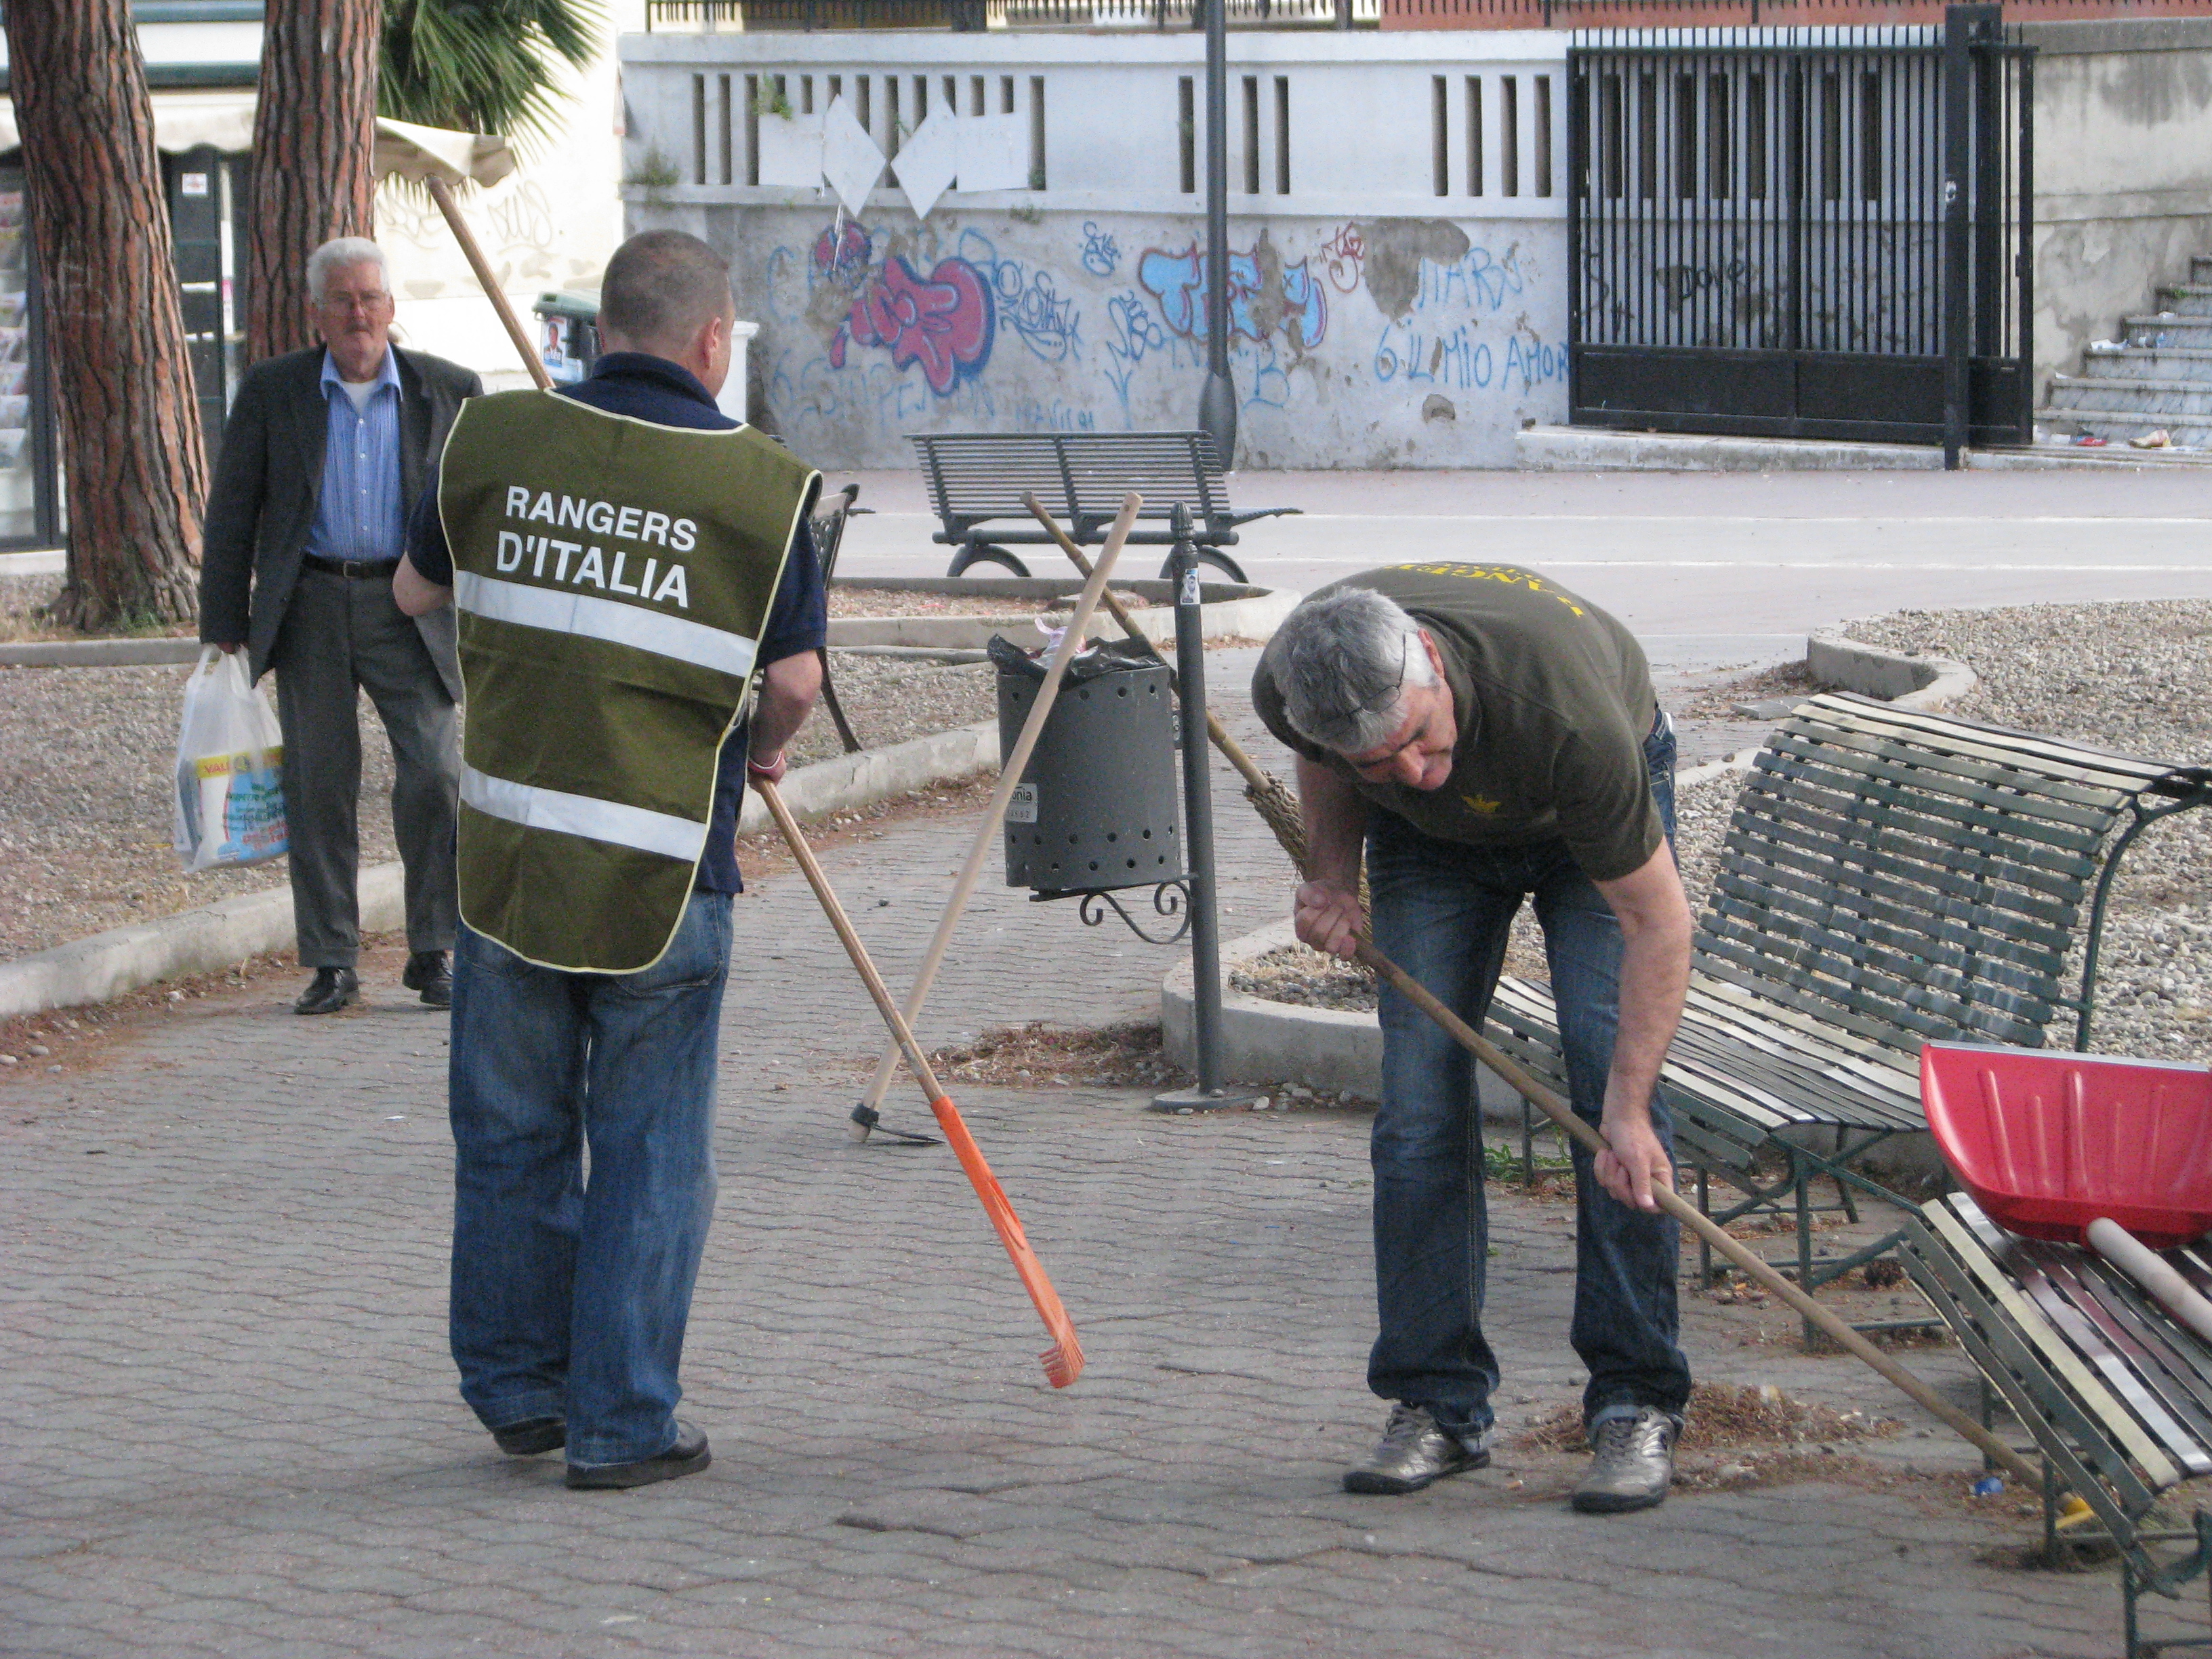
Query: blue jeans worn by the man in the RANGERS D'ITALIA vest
570,1300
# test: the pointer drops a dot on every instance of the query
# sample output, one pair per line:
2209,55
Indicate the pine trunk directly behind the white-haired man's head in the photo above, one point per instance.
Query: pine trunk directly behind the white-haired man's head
315,132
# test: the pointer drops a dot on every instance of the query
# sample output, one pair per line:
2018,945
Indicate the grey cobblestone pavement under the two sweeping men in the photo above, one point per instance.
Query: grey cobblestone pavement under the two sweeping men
231,1428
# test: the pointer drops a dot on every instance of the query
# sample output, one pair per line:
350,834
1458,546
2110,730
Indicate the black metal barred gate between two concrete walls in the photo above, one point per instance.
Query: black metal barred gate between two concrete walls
1804,233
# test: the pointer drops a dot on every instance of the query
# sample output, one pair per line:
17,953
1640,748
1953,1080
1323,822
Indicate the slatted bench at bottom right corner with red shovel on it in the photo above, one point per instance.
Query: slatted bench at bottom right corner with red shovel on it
2116,1395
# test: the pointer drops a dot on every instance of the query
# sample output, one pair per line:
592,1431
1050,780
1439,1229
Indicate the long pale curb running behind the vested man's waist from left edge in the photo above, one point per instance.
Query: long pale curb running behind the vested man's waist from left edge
213,937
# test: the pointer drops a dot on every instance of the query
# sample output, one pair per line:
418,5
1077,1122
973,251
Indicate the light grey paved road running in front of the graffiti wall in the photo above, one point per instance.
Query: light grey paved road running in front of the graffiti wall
1707,567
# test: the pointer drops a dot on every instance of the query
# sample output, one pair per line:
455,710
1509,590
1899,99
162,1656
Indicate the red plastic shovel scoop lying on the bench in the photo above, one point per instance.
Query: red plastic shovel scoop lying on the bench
2049,1140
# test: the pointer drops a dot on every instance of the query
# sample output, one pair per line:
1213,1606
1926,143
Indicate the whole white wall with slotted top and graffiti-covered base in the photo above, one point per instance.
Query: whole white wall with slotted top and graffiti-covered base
1375,322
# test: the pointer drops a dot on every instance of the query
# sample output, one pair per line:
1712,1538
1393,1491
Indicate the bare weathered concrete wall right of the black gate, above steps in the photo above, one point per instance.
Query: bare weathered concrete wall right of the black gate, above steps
2122,174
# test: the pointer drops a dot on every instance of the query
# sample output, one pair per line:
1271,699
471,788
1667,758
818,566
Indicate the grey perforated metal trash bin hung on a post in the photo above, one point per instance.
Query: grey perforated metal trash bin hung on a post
1098,804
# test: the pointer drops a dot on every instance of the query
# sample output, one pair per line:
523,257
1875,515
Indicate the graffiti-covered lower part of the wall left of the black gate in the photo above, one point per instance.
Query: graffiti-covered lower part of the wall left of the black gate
870,333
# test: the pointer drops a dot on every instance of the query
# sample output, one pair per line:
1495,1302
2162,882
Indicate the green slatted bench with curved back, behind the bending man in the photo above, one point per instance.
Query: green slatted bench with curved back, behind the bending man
1890,877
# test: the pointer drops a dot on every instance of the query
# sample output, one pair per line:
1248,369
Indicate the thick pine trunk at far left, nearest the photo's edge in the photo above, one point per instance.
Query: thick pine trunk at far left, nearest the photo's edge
132,446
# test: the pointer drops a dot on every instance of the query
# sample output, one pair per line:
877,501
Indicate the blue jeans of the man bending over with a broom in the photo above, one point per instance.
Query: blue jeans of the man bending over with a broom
1443,910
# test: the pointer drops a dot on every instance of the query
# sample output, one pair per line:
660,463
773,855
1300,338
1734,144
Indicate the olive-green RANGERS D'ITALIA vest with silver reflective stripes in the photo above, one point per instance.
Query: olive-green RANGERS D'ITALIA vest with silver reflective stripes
612,581
